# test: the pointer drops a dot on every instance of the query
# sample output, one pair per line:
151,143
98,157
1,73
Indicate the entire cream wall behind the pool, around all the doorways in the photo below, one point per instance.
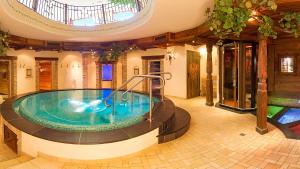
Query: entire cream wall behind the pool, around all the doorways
70,68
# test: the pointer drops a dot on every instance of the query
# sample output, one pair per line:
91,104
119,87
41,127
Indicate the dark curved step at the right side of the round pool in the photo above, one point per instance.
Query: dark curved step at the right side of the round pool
180,126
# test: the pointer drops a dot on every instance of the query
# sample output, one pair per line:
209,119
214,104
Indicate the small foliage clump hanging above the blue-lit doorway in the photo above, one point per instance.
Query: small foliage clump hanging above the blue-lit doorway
116,50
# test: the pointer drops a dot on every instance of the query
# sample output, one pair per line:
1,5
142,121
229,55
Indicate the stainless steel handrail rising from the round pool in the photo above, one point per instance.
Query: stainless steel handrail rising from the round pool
150,90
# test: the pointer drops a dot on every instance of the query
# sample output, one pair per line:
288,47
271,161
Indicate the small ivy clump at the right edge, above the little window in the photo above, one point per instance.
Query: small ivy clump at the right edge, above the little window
290,22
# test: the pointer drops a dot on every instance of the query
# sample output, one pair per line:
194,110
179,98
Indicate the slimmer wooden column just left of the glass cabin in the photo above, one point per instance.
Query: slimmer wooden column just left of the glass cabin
209,81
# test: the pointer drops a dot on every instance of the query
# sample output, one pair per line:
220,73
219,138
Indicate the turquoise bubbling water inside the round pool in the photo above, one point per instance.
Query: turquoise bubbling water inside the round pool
82,110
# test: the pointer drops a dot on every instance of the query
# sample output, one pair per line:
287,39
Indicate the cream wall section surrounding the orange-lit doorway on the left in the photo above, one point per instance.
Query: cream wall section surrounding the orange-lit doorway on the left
69,69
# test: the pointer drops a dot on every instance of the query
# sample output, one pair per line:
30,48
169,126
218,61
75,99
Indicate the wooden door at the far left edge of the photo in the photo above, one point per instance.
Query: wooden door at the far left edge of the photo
4,78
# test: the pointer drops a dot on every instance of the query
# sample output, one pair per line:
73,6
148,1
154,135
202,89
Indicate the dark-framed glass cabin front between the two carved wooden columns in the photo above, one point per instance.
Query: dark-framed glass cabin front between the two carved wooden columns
238,75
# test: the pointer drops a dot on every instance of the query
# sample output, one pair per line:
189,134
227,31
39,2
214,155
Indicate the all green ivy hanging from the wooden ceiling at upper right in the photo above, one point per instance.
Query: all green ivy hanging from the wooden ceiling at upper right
230,17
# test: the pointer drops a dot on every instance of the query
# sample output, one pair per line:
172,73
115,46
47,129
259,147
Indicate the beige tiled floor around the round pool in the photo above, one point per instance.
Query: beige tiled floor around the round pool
217,139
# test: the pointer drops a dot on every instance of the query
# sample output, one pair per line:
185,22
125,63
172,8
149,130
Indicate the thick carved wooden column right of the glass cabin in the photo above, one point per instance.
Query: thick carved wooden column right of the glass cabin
262,95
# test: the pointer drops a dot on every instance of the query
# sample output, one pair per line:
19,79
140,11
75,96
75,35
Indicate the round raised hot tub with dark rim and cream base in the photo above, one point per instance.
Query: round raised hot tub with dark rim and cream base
76,124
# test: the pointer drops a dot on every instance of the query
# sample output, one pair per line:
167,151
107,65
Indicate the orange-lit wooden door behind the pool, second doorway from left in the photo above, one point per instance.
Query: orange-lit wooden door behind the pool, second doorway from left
45,75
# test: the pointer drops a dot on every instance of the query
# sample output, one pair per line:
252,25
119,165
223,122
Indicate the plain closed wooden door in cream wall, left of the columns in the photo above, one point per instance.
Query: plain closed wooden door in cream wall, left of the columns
193,74
